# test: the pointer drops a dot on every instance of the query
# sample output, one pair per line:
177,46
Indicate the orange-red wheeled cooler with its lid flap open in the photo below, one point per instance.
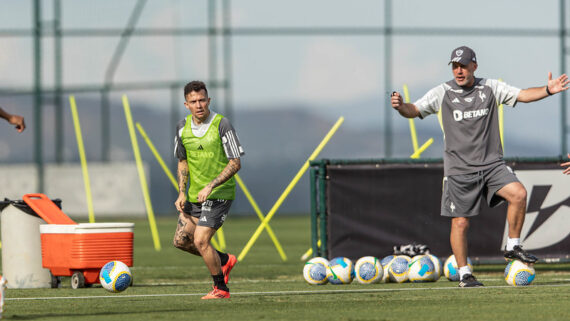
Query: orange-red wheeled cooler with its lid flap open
79,250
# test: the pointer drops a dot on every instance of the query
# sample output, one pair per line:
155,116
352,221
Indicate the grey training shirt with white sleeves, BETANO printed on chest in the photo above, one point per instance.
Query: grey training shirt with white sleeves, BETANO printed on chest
469,122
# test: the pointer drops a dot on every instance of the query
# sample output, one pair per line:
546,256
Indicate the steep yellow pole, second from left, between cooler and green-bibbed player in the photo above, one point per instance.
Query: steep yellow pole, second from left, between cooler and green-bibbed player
142,177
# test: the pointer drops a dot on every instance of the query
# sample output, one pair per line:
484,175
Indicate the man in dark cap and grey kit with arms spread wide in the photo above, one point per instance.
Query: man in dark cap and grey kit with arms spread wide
474,168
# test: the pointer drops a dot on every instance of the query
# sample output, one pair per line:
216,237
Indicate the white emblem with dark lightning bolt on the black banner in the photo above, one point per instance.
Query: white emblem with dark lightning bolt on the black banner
548,212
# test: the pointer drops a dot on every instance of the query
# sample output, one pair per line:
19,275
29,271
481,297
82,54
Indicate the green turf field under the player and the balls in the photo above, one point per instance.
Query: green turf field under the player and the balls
169,284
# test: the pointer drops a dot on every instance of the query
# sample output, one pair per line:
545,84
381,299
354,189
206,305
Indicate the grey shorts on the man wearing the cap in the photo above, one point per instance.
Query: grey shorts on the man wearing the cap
462,194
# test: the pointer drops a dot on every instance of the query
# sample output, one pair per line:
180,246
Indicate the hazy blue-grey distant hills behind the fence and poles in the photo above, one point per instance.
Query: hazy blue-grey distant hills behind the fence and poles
277,142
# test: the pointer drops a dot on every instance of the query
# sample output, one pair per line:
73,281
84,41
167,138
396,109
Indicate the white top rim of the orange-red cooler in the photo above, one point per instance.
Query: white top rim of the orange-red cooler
84,228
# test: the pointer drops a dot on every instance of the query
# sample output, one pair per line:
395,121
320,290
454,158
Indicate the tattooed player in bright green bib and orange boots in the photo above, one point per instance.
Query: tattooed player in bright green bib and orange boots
208,152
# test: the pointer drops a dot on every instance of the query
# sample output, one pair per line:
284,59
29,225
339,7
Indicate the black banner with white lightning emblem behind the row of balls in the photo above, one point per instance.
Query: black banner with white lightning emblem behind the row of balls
373,207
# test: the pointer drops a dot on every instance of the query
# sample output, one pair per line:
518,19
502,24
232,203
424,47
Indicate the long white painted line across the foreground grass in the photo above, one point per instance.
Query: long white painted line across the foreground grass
277,293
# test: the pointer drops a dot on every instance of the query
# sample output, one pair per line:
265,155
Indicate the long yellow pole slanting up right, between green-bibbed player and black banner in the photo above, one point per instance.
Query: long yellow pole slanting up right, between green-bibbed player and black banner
288,189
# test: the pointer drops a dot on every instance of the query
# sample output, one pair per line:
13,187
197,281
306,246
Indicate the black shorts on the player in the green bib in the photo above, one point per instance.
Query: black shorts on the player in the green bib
211,213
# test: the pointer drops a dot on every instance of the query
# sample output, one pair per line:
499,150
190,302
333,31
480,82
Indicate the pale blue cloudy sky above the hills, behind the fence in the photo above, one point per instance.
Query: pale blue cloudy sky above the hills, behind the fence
331,75
